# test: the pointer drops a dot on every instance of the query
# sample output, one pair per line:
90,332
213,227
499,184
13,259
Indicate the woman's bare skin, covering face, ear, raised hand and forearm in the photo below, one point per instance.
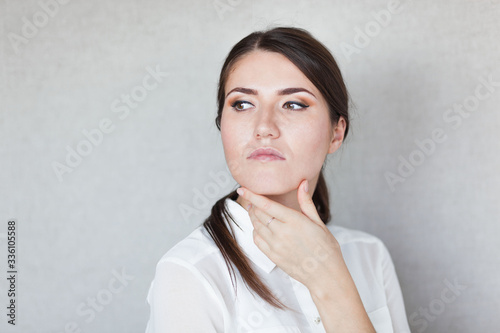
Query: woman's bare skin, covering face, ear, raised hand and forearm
266,117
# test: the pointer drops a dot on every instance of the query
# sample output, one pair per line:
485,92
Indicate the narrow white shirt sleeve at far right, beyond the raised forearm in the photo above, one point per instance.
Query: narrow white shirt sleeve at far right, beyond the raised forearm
393,293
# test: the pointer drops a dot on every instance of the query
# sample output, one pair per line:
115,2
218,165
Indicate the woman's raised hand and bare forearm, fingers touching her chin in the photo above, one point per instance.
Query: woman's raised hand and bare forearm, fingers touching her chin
302,246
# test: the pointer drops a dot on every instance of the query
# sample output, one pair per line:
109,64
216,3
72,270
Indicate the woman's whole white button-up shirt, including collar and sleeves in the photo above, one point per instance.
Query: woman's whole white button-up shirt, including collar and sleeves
192,289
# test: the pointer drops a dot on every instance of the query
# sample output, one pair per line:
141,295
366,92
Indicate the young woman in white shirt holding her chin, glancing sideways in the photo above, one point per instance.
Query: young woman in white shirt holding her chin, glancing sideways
264,260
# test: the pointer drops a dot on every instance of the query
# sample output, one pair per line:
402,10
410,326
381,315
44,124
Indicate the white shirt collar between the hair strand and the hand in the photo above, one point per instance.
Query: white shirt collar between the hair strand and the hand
243,231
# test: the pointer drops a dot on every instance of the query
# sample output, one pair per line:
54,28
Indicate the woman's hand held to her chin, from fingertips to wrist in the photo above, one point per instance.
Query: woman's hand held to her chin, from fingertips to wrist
297,242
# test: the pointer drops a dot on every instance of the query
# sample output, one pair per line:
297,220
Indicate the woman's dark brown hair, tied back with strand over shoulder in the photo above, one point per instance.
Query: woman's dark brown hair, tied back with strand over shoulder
318,65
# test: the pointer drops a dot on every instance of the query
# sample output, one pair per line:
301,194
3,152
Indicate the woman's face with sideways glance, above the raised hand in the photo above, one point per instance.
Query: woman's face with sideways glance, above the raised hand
271,103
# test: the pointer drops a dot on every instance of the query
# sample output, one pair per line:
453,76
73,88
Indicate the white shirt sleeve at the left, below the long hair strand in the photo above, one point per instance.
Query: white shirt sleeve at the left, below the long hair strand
181,300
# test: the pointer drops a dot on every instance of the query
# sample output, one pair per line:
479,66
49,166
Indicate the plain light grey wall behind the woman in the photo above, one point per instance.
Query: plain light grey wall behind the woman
153,176
